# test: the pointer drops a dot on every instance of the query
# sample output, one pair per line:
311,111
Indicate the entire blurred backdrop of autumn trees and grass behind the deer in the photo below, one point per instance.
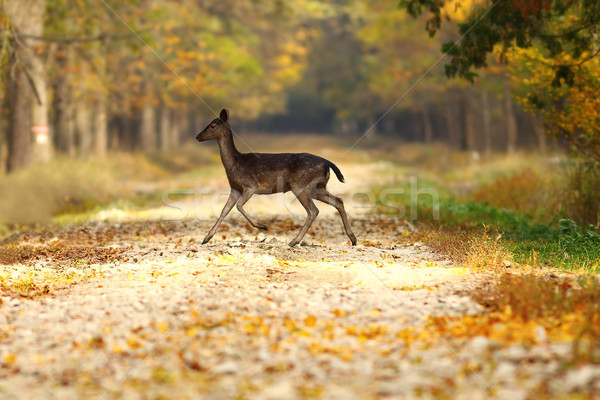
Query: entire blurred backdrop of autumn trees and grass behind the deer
101,99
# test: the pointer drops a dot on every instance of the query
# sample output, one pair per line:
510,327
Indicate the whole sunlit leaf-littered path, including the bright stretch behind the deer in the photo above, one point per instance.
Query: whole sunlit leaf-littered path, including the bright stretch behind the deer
125,303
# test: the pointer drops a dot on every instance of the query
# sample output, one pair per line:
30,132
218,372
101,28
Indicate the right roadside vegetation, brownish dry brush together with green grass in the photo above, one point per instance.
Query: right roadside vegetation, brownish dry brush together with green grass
534,211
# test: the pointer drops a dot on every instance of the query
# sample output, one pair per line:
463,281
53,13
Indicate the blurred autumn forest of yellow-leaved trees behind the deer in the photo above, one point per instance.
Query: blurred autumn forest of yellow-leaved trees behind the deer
141,76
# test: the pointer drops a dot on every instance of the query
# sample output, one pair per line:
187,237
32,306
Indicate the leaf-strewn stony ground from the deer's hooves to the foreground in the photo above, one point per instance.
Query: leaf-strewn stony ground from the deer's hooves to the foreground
140,309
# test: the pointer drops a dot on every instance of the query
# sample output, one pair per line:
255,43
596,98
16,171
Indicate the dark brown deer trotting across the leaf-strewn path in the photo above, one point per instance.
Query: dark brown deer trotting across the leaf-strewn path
305,174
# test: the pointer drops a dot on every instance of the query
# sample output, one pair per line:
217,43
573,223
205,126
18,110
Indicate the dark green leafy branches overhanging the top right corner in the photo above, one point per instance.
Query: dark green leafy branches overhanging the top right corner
558,25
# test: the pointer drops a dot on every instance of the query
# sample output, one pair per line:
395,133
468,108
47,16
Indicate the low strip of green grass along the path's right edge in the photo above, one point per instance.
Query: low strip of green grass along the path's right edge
560,242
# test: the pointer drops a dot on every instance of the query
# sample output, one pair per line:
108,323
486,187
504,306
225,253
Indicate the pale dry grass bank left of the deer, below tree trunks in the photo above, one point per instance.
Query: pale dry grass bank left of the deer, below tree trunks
35,194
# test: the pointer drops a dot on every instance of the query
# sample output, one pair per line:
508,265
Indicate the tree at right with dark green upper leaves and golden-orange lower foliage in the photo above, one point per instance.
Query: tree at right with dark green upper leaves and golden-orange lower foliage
557,39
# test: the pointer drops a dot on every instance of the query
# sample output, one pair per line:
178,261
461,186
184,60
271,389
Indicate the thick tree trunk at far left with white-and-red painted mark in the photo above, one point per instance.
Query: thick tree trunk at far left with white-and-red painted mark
28,102
